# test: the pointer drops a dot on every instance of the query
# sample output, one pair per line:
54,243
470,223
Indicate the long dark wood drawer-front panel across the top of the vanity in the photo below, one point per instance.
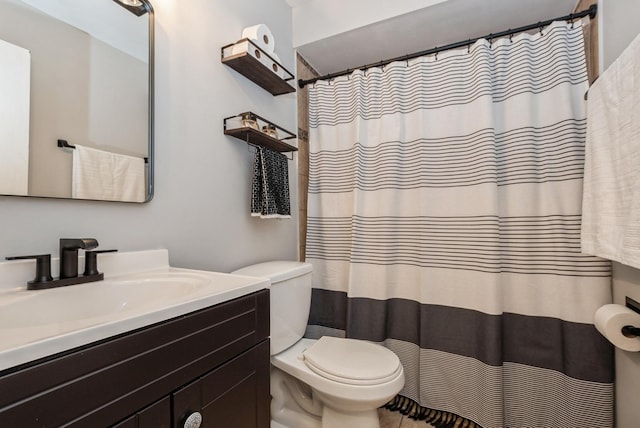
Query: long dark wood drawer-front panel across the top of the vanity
102,384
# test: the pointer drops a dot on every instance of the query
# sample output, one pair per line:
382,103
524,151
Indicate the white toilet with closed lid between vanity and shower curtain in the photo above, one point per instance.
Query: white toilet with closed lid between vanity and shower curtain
320,383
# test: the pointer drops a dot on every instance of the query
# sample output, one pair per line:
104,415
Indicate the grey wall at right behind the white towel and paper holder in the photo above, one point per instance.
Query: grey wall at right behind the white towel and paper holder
619,24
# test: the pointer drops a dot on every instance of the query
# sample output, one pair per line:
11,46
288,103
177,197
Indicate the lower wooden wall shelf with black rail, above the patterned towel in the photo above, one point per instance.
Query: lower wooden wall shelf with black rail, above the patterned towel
265,133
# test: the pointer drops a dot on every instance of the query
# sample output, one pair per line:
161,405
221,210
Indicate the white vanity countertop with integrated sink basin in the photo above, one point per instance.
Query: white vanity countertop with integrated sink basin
139,289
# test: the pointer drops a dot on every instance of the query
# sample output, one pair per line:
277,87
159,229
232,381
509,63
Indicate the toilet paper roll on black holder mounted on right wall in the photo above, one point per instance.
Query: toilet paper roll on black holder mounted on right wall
610,319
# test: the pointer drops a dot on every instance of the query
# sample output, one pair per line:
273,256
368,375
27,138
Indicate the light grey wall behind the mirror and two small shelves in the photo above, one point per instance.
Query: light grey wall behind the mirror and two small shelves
201,207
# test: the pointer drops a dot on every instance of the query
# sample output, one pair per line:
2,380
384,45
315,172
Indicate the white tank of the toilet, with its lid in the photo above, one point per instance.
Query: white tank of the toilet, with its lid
290,298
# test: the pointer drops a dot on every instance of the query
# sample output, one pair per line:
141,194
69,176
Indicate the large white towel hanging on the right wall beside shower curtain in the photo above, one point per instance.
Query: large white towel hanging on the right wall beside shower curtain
611,199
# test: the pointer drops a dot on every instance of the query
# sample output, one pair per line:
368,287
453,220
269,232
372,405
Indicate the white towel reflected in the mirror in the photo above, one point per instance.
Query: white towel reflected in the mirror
102,175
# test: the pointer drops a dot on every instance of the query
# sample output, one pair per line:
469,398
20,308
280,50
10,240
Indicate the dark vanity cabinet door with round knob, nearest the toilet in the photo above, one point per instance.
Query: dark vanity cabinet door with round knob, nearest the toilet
234,395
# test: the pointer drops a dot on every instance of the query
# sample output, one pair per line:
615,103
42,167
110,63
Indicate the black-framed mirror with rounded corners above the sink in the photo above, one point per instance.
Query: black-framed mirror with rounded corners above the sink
76,99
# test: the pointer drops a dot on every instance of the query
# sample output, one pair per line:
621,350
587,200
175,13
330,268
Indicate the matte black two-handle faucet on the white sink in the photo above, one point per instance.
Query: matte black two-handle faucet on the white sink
68,265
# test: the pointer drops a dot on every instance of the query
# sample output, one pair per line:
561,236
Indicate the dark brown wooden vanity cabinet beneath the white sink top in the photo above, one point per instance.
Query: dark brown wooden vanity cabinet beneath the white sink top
214,361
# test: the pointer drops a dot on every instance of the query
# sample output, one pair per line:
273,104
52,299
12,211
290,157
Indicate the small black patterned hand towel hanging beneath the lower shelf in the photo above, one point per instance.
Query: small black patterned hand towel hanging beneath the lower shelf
270,188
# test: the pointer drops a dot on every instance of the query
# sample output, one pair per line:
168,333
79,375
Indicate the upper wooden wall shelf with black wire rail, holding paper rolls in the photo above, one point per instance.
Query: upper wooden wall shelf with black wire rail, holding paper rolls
252,62
